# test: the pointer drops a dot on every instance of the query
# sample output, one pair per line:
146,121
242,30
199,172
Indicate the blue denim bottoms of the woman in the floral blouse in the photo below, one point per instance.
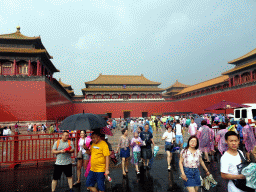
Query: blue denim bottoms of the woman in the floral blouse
193,176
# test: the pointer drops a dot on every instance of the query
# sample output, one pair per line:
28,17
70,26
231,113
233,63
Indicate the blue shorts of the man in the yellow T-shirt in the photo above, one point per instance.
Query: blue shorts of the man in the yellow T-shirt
96,177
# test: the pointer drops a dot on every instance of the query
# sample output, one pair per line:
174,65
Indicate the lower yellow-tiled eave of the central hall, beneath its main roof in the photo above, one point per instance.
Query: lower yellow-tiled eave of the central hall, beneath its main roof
120,89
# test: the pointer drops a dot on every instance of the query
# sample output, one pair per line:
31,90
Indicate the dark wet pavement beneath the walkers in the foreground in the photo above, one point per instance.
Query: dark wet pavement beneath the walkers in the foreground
157,179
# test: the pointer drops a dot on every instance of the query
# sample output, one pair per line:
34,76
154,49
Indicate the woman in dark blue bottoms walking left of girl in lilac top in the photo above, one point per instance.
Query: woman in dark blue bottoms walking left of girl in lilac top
124,146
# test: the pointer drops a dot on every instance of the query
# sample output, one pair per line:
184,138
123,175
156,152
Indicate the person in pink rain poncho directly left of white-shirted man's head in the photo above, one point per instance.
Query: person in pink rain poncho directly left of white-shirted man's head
220,139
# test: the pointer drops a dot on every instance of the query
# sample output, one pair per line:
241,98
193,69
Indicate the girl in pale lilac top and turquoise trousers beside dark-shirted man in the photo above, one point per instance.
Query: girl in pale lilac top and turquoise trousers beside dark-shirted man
136,142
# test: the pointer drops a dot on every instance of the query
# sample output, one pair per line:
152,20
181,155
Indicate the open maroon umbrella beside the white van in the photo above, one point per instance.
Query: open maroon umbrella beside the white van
224,105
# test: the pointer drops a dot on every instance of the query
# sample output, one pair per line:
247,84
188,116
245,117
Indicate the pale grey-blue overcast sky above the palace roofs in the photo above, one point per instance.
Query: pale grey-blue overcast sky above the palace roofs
188,40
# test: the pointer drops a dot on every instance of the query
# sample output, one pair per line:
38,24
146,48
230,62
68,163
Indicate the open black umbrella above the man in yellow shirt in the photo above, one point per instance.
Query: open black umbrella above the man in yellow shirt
83,121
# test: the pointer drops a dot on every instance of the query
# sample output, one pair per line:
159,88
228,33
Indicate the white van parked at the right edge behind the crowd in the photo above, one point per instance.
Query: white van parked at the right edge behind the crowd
246,113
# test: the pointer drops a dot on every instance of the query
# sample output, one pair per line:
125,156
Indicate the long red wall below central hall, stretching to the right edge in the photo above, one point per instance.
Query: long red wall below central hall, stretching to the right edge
195,105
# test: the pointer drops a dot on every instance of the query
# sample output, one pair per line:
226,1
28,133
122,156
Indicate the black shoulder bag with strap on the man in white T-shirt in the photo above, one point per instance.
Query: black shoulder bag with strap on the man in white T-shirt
241,183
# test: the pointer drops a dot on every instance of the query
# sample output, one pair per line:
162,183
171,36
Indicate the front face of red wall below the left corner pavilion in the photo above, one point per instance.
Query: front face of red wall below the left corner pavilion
22,101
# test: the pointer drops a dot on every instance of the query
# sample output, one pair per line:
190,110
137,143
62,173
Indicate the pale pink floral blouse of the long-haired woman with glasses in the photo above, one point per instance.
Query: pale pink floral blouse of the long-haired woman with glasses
191,160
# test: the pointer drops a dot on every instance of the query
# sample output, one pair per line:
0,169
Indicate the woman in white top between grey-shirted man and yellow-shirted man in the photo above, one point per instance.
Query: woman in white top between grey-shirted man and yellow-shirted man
82,161
